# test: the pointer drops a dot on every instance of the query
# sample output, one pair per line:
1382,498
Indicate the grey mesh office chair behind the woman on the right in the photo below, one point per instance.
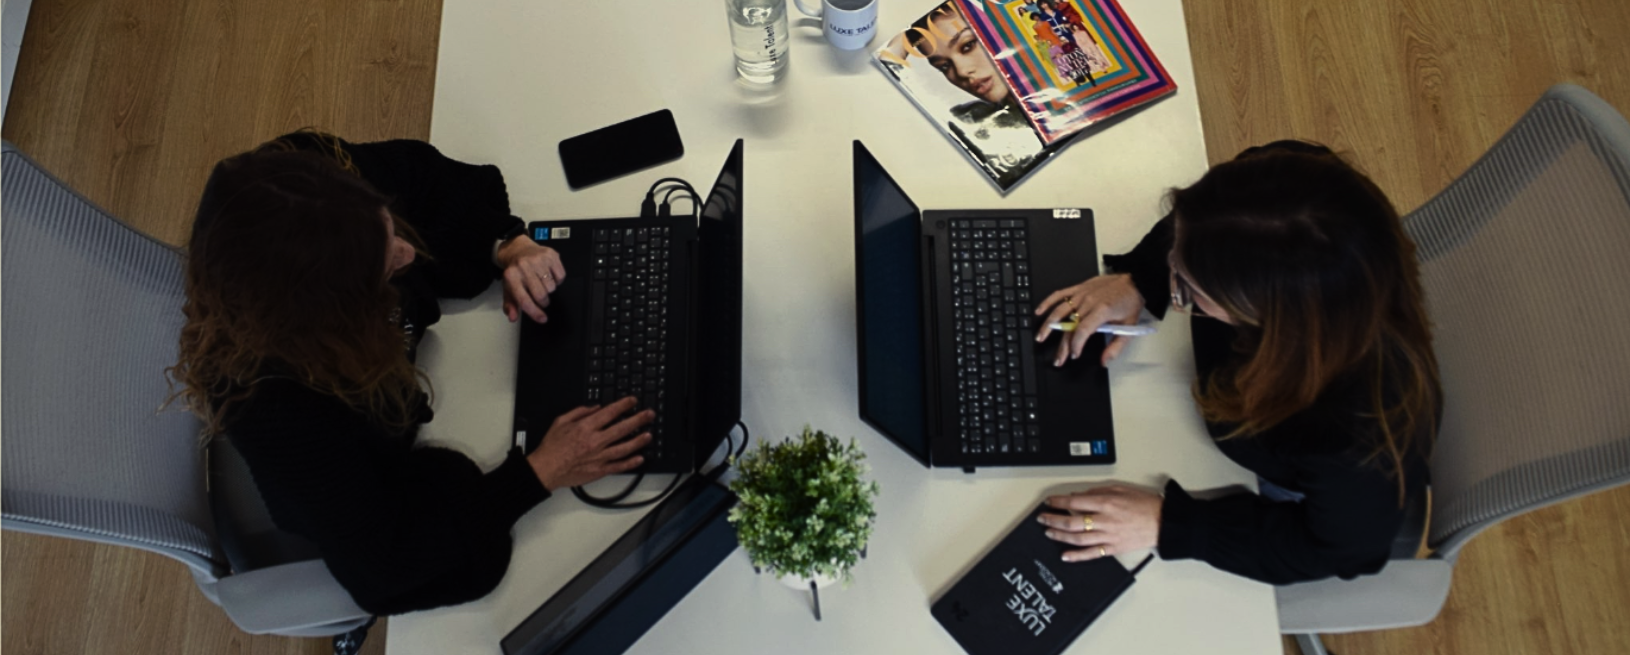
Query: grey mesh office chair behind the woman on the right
1526,266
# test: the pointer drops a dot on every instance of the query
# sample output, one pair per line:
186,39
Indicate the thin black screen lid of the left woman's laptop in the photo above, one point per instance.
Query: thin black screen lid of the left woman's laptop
720,310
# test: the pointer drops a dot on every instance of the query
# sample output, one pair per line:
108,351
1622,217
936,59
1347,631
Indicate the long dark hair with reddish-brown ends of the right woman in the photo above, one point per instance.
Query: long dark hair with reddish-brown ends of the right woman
1311,262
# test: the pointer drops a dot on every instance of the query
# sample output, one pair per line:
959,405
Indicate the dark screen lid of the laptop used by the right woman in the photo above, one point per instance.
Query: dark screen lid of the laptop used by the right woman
888,240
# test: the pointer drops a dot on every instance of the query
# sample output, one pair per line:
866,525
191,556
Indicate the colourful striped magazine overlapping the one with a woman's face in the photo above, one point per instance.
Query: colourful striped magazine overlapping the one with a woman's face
1072,63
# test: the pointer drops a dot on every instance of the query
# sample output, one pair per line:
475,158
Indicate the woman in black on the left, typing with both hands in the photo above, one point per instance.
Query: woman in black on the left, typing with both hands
314,270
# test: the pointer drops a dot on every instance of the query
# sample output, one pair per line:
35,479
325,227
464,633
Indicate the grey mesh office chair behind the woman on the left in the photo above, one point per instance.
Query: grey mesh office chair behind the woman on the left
92,319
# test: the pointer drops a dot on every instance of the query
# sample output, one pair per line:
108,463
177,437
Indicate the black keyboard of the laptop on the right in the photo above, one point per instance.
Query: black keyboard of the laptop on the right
997,390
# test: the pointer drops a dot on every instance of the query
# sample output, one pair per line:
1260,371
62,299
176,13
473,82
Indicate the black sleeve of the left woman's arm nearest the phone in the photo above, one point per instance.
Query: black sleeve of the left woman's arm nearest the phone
459,209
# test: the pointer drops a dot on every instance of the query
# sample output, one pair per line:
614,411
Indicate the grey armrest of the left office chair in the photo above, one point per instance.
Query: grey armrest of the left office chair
297,600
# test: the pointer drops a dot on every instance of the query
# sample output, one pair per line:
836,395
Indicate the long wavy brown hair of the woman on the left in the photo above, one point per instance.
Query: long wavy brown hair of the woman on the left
286,278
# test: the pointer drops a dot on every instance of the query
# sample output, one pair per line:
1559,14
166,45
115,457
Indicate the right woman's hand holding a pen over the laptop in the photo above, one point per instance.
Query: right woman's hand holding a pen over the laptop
1099,301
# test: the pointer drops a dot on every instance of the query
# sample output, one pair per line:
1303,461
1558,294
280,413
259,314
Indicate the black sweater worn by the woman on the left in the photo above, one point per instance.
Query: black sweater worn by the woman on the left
402,529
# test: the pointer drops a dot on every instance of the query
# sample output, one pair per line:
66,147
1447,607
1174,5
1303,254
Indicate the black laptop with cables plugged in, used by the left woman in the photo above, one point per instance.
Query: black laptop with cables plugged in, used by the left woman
650,309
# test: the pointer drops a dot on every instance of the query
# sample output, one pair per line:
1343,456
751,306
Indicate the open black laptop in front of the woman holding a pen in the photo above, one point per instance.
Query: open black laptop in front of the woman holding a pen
948,358
